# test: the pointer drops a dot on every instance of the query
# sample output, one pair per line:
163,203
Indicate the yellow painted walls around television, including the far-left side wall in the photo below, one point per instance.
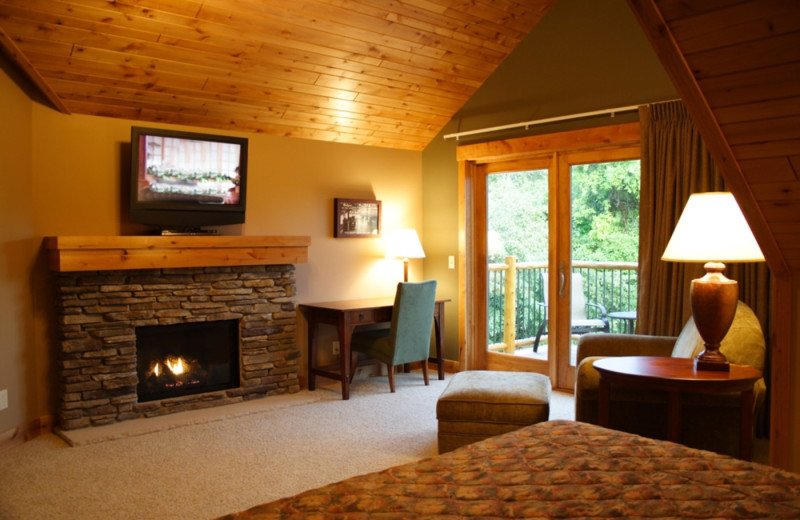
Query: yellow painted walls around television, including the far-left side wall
62,175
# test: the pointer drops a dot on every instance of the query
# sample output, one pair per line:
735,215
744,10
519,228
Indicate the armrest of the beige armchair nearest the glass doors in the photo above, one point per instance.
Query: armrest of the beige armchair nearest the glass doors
605,345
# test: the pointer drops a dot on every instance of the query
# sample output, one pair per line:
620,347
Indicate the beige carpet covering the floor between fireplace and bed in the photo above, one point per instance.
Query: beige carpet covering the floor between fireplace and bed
202,465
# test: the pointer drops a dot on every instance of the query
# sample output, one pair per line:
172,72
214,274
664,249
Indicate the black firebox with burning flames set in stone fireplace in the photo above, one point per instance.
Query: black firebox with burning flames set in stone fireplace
187,358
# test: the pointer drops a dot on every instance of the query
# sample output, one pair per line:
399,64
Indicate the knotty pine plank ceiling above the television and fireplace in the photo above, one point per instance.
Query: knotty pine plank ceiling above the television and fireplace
387,73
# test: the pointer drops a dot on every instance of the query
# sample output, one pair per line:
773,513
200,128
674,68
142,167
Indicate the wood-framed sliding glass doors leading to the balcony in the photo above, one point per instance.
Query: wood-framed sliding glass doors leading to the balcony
540,226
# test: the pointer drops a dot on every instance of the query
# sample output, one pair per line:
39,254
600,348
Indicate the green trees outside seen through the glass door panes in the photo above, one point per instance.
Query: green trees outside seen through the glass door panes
605,228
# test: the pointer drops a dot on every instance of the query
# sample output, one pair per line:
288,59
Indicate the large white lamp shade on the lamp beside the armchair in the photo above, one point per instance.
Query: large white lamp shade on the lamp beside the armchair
712,228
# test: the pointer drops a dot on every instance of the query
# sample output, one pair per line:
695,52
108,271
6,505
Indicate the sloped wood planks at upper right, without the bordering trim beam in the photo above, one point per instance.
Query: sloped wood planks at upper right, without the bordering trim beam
745,57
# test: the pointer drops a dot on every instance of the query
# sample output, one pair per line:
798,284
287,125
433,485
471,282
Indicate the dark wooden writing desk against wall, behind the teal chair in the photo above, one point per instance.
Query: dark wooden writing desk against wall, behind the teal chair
346,316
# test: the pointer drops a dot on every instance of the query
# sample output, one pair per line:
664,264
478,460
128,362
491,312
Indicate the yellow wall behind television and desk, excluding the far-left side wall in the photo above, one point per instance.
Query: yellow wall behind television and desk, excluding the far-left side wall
78,162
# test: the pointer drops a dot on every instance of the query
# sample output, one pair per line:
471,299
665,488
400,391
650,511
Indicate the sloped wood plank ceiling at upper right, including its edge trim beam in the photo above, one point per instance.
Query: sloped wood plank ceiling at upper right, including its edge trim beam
736,64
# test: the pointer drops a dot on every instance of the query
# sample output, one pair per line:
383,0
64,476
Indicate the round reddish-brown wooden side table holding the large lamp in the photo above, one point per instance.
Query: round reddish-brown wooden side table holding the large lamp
676,376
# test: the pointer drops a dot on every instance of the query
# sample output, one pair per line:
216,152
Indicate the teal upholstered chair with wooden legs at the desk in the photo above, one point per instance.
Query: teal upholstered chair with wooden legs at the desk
408,339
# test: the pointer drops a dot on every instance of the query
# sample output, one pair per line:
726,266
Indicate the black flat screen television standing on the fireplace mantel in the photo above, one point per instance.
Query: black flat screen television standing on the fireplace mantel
182,181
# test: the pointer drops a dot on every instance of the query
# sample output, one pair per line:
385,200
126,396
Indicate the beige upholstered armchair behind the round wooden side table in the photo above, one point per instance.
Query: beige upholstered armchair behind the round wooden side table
708,422
